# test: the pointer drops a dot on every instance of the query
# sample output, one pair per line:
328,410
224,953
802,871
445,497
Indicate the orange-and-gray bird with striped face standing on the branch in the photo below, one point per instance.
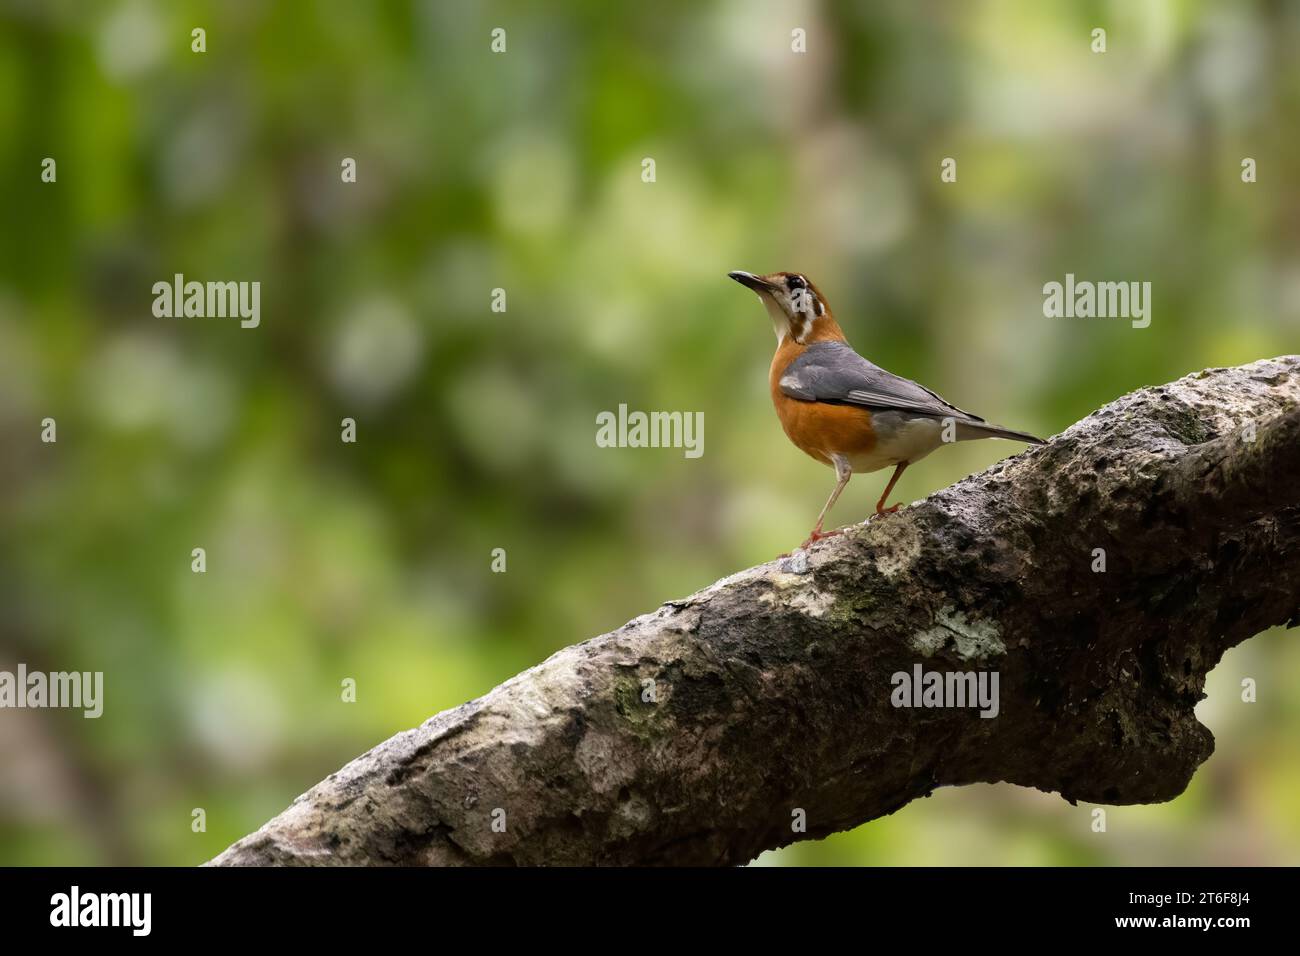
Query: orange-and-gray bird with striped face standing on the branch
843,410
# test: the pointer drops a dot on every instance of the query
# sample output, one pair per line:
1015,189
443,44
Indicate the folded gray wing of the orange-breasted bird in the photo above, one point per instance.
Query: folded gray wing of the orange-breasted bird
833,373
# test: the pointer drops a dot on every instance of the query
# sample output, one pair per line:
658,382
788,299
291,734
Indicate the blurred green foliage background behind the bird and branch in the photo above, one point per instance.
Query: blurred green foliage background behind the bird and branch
476,429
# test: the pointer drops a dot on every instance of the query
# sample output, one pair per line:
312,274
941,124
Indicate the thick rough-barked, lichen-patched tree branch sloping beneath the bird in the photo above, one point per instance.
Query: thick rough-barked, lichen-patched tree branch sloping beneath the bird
774,686
